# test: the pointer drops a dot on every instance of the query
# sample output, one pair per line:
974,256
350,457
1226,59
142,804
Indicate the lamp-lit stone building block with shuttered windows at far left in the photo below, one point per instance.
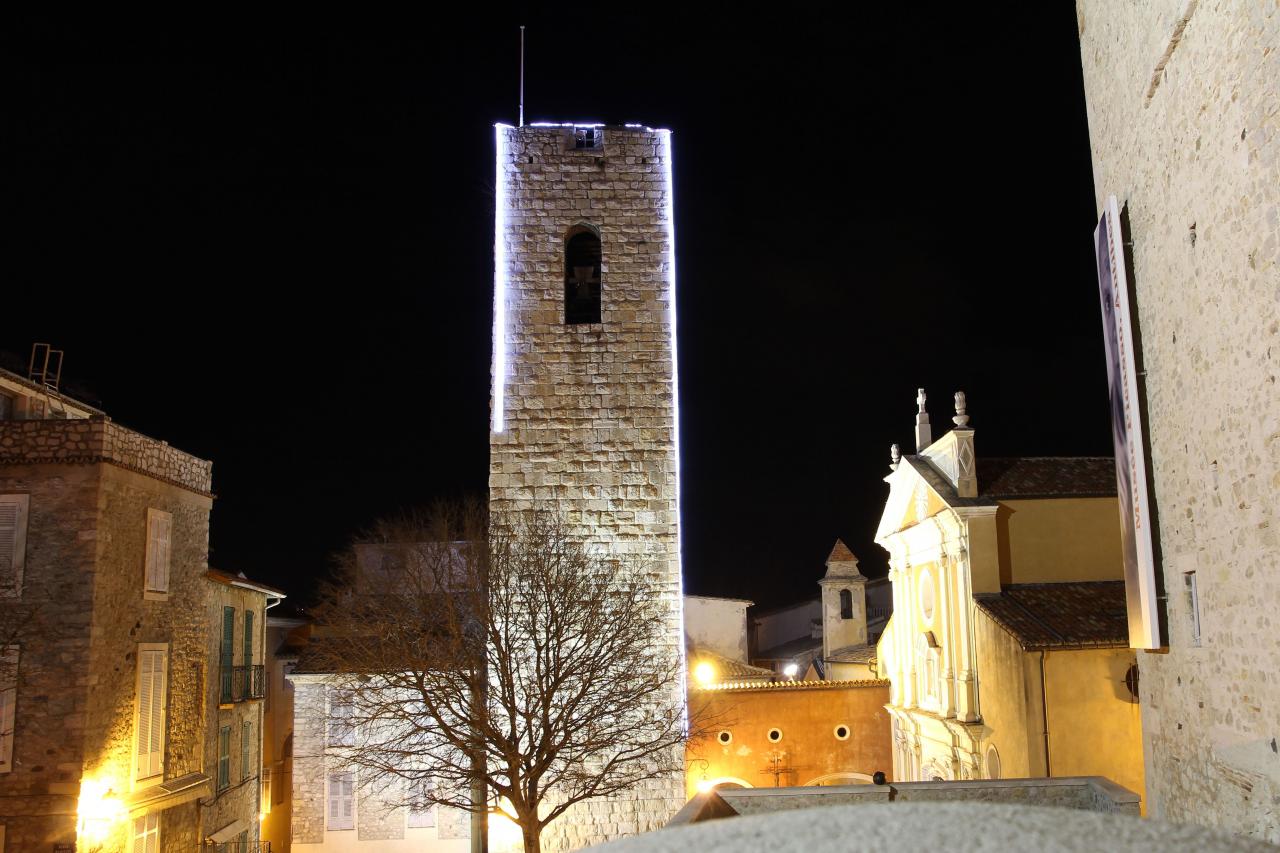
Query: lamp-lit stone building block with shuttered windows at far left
112,626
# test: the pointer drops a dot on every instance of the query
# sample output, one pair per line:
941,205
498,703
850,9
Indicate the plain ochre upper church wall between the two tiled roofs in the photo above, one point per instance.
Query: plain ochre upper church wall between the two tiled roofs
1062,540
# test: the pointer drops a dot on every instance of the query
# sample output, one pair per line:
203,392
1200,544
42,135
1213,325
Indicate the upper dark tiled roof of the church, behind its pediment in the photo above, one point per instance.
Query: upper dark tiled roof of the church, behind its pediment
1048,477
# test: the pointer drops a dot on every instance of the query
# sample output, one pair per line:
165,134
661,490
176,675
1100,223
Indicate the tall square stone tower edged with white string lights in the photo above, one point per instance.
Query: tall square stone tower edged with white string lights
584,407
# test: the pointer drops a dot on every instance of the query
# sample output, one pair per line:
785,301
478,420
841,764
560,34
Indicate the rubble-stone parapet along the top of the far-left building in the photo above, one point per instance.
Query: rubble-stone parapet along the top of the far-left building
99,440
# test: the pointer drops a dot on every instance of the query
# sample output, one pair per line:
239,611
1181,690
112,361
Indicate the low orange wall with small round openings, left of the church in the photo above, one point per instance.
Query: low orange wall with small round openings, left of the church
808,718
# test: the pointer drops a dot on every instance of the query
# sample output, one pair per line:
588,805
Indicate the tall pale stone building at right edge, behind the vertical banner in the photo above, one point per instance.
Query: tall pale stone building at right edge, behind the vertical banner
1185,121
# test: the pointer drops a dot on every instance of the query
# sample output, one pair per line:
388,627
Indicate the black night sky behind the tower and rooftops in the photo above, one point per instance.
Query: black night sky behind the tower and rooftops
269,243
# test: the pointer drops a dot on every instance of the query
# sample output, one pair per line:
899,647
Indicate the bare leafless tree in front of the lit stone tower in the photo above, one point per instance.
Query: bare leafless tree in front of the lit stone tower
509,659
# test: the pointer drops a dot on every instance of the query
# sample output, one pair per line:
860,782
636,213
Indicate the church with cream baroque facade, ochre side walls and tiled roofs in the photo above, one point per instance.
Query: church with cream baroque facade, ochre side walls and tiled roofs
1008,647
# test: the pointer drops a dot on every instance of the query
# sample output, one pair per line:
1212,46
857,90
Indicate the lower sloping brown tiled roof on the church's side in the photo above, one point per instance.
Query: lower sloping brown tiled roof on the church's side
1067,615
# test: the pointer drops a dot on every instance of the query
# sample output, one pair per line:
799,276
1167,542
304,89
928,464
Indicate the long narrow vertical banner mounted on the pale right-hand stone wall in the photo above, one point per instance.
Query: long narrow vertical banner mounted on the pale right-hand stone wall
1136,530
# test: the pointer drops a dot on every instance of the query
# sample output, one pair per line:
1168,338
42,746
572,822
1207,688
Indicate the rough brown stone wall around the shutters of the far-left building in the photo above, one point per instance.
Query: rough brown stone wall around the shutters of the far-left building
80,622
